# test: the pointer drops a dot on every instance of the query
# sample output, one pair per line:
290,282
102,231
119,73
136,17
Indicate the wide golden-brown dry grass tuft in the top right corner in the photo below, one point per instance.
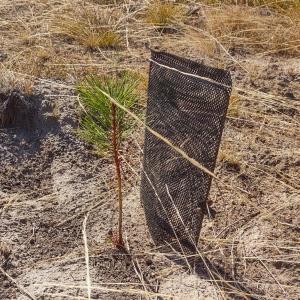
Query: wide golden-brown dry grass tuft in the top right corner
246,29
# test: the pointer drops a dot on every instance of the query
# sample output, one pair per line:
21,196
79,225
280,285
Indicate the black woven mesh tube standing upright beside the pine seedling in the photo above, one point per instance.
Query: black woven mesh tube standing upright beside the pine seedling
190,112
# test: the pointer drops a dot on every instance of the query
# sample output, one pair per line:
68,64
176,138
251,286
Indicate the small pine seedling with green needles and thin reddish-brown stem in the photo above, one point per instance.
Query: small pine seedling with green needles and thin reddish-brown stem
104,124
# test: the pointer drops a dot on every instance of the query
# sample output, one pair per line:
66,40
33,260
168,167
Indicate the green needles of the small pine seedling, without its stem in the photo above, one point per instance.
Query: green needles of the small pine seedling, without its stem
96,123
